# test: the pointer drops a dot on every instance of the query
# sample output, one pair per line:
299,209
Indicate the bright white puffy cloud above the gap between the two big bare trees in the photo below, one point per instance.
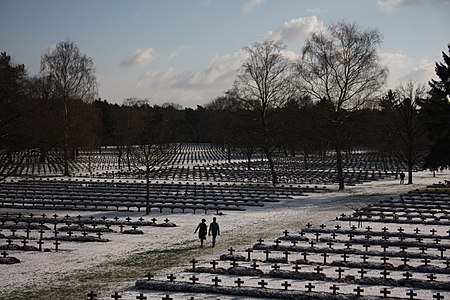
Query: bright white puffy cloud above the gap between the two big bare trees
296,30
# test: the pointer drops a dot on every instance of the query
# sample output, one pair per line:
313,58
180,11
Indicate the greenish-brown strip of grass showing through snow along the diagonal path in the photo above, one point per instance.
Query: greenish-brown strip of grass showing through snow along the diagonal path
121,273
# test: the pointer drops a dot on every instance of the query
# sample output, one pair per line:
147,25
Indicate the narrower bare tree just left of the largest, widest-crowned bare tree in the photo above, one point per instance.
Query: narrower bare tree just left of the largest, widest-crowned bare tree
263,83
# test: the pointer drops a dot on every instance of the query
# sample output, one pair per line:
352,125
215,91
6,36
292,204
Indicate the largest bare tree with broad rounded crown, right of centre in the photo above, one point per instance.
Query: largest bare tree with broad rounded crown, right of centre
341,67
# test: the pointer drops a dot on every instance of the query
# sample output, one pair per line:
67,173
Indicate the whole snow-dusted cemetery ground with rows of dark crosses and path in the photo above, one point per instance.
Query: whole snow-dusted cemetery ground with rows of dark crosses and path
87,236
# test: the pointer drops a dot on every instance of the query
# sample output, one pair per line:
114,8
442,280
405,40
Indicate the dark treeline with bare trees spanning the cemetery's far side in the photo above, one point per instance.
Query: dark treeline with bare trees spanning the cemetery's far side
266,111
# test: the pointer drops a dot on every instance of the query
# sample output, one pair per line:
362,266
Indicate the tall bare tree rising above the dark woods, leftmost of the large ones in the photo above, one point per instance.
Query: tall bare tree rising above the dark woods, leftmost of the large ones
73,78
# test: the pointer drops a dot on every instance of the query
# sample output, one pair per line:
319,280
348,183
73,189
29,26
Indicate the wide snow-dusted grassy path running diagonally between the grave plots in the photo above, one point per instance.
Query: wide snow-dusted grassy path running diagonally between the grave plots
122,263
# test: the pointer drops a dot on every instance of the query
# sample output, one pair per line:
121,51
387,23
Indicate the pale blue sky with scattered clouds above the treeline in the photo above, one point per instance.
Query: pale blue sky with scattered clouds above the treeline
188,51
